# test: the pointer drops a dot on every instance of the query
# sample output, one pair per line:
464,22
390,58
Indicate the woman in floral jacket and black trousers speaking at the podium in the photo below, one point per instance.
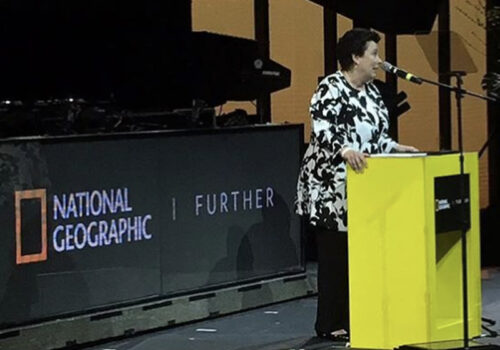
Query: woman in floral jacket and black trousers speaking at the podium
349,122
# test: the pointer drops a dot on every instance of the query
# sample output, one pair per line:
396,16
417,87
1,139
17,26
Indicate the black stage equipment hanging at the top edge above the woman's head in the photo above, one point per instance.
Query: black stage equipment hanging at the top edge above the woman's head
389,16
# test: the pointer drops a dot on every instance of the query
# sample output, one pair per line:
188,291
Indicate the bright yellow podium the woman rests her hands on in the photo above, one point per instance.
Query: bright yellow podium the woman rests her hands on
405,279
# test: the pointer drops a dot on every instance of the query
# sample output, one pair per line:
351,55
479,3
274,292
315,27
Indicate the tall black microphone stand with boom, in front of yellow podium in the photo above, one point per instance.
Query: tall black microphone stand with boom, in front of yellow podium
459,95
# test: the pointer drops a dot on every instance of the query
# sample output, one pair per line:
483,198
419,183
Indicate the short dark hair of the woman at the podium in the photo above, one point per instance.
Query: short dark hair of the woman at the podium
354,42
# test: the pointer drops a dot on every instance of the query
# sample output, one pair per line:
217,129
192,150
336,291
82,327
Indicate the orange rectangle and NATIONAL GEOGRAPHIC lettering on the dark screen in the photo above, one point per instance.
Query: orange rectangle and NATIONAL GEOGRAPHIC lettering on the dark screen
78,220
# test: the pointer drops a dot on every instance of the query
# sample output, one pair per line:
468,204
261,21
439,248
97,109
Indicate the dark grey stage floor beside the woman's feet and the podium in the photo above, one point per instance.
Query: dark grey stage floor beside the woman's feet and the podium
288,325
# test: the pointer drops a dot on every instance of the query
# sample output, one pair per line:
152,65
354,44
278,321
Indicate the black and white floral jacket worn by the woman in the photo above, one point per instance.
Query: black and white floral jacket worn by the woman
342,116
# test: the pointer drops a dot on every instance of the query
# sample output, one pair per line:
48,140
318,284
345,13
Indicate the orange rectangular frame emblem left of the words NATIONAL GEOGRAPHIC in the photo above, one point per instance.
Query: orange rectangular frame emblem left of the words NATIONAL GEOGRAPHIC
38,195
